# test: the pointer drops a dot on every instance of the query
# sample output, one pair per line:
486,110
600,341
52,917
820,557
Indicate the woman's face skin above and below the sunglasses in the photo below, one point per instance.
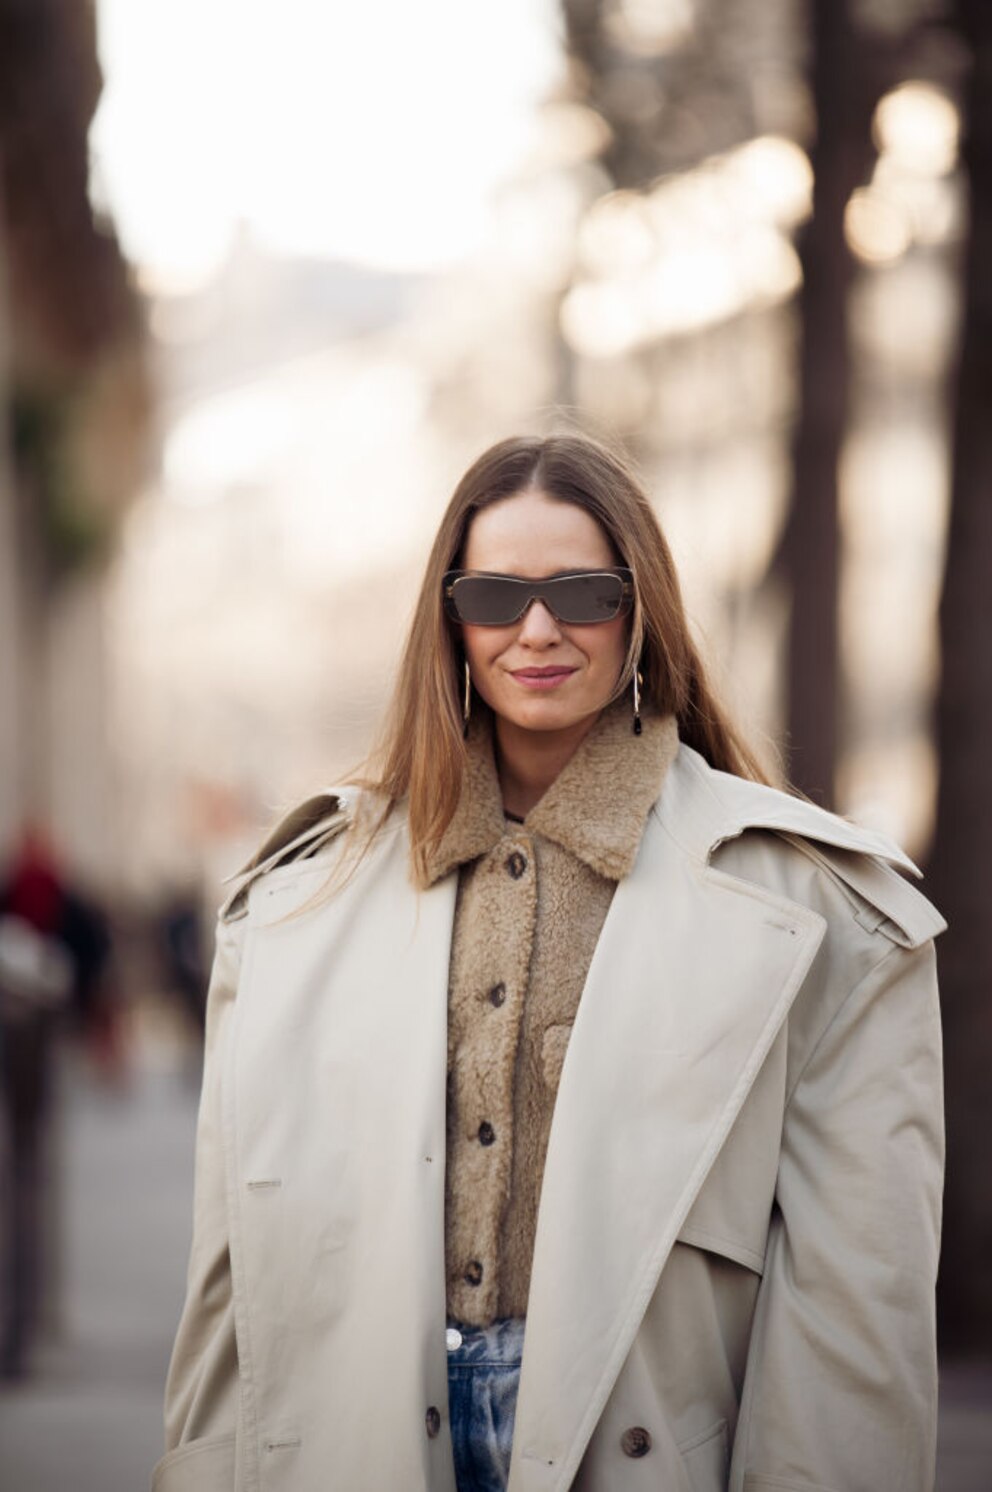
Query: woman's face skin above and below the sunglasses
538,674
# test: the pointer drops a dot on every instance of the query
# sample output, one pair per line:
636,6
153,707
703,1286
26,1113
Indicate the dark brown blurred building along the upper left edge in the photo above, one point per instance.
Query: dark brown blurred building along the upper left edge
75,405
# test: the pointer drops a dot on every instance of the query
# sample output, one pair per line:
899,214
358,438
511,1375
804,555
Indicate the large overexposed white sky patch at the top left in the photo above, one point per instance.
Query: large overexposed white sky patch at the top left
375,134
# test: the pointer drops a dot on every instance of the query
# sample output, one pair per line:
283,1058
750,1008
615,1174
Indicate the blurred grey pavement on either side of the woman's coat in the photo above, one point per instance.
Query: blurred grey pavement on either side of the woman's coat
90,1418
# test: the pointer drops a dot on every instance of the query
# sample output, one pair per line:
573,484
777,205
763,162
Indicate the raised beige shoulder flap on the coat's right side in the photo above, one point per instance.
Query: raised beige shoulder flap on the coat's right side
860,862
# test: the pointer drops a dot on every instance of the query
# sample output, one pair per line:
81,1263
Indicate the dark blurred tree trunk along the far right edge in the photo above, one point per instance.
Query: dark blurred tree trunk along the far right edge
961,877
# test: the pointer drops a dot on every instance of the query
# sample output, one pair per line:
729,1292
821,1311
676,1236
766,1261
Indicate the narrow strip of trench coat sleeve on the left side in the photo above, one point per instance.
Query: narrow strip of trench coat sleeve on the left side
202,1387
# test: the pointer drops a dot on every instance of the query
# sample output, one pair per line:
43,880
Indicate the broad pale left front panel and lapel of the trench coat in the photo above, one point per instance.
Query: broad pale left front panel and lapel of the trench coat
350,1006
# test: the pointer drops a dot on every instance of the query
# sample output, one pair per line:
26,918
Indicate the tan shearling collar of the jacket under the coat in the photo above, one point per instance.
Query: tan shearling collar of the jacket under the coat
596,808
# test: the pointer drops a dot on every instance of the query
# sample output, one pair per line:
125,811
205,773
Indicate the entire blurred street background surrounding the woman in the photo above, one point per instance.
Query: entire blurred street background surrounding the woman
269,280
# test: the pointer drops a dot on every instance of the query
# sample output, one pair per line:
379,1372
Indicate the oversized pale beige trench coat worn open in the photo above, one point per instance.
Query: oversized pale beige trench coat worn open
739,1226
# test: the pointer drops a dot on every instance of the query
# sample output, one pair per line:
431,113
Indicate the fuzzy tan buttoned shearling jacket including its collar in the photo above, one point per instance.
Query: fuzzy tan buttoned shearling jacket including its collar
532,903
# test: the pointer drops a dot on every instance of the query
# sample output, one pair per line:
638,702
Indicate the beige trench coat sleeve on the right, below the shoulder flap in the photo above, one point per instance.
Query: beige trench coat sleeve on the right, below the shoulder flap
841,1390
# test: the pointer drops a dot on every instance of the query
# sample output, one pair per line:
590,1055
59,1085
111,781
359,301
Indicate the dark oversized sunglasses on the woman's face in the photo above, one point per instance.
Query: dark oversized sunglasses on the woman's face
578,598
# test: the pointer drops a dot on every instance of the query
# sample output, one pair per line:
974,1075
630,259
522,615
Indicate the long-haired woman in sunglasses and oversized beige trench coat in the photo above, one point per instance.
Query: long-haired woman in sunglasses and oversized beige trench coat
568,1087
